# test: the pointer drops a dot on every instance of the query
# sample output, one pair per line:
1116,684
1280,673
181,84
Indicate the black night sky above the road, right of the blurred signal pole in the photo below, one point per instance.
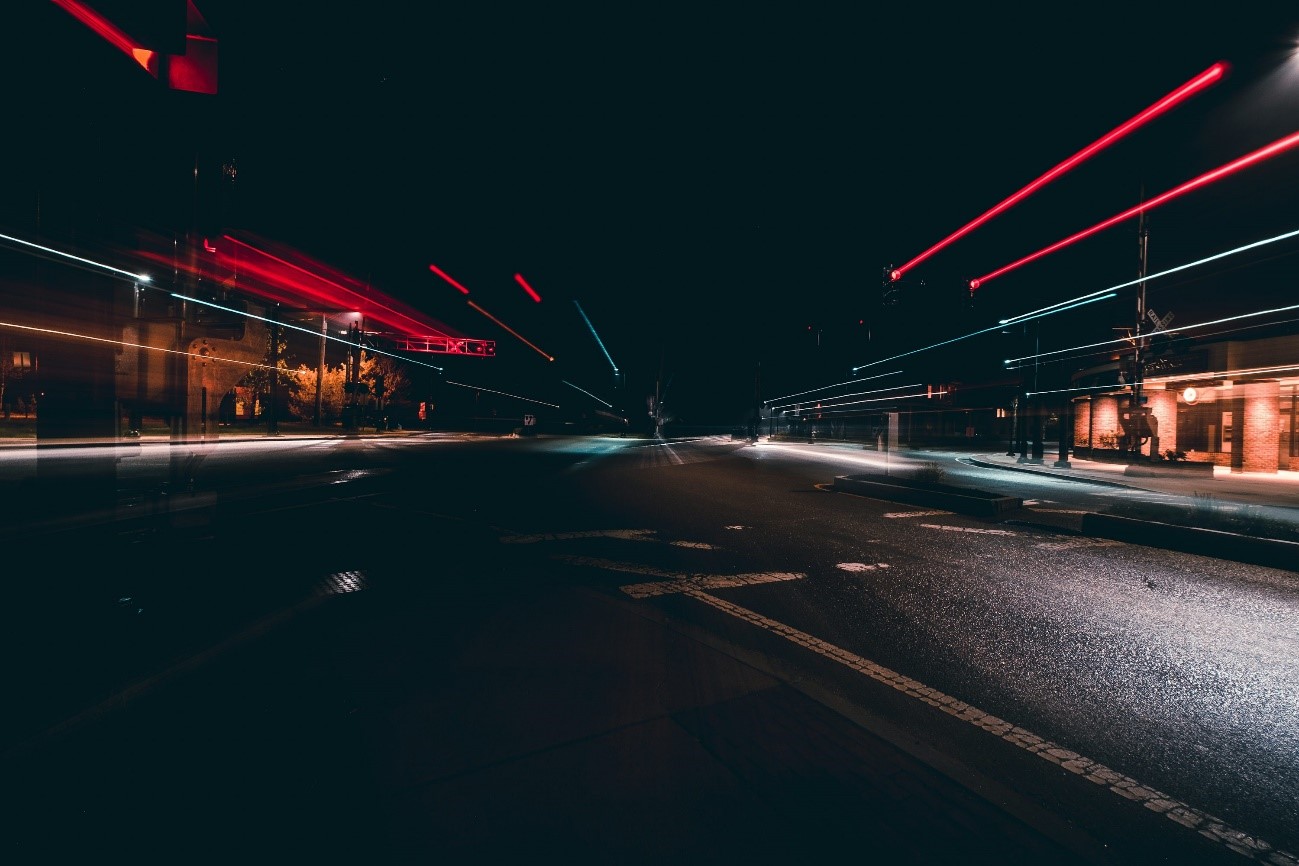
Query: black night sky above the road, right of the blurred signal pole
722,185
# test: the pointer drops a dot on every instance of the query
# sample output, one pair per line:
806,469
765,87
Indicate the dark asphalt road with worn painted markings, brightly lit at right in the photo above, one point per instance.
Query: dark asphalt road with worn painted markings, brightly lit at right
1167,676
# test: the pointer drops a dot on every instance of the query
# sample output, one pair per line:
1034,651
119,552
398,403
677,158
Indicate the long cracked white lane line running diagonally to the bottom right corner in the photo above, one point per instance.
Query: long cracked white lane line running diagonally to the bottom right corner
1127,787
